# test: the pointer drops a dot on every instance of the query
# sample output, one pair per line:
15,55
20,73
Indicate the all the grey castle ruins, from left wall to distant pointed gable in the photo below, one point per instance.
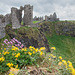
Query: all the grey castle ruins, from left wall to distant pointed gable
15,18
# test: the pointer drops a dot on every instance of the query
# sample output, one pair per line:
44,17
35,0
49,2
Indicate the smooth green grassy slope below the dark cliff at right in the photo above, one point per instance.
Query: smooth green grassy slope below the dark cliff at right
65,46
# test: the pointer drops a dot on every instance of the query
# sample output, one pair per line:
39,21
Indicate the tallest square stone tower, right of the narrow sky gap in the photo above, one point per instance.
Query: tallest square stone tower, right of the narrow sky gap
28,15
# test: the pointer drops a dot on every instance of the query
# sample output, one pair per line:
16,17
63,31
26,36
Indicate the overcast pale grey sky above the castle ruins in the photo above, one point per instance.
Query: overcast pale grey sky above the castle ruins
65,9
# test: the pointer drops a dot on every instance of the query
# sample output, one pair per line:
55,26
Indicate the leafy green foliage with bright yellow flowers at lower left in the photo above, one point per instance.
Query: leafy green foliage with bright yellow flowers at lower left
20,57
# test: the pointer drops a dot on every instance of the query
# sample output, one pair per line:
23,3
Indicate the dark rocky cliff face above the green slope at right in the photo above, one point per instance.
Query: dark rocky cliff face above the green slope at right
60,28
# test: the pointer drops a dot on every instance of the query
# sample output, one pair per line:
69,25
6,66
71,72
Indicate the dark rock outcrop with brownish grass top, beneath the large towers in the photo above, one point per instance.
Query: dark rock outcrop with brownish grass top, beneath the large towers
29,37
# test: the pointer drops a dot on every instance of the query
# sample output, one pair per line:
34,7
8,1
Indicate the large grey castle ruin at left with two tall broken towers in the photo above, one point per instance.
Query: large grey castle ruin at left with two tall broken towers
15,18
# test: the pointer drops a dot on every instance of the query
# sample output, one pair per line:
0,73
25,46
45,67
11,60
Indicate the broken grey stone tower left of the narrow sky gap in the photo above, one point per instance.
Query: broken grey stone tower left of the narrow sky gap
15,18
